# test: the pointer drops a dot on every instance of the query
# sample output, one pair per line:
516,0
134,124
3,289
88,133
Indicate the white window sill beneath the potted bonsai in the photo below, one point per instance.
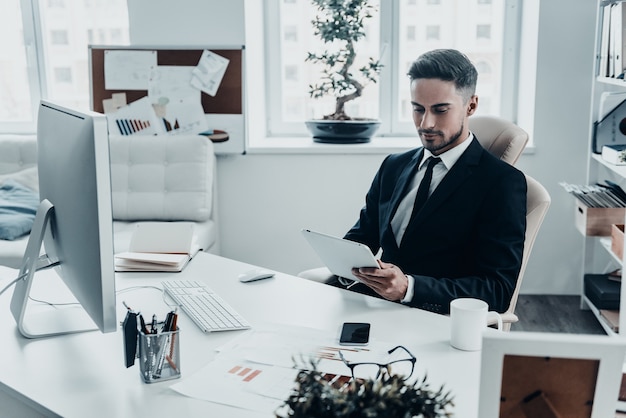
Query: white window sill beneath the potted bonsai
305,145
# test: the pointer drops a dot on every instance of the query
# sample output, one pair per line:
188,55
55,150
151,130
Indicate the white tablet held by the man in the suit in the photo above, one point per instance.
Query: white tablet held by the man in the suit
340,255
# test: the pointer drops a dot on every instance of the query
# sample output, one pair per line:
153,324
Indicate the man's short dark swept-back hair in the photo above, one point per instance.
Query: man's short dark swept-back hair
447,65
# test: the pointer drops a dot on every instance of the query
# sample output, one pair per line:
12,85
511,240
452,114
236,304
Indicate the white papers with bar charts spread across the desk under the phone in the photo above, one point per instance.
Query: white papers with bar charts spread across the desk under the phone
257,369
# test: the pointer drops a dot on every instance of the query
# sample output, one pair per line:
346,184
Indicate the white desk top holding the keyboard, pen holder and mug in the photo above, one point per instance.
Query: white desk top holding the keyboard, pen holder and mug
84,375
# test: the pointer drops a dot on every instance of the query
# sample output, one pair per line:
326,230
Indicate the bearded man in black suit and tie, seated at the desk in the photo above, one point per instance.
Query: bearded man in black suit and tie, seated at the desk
467,239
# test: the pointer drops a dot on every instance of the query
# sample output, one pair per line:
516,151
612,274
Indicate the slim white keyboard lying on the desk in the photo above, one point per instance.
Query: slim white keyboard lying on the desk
206,308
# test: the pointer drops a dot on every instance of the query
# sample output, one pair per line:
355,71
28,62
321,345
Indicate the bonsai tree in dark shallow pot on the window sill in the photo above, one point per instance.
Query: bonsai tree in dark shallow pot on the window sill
340,25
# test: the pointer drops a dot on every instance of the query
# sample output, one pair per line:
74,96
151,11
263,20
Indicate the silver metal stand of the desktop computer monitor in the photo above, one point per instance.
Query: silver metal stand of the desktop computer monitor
49,322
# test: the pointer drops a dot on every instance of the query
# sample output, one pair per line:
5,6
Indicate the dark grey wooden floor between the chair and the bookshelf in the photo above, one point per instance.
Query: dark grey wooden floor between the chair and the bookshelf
554,313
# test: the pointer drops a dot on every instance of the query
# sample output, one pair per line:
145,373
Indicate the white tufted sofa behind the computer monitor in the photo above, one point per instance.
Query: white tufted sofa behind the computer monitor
153,178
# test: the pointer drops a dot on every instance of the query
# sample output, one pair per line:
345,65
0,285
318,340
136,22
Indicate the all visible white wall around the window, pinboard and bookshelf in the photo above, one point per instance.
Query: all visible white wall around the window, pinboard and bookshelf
265,199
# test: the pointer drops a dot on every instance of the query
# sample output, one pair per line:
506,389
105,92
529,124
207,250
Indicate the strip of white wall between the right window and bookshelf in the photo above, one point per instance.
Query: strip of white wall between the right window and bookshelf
565,51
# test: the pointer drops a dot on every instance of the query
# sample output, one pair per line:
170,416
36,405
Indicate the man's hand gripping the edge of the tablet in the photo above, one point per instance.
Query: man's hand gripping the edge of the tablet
388,280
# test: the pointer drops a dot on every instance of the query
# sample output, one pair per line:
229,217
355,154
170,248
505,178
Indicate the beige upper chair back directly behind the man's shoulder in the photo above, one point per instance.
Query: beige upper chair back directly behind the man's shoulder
502,138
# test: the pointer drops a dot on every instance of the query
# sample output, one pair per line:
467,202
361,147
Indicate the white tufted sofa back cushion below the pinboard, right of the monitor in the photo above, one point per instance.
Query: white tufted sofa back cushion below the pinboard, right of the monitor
162,177
